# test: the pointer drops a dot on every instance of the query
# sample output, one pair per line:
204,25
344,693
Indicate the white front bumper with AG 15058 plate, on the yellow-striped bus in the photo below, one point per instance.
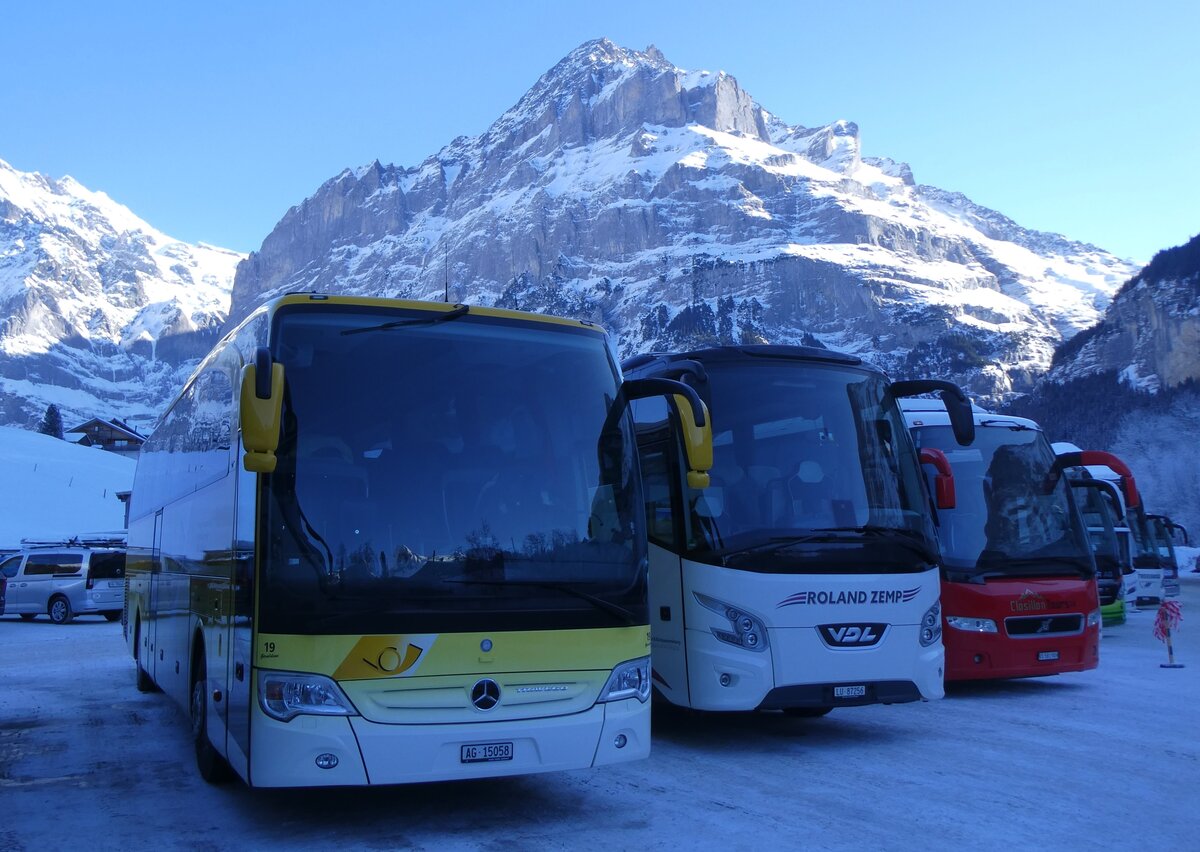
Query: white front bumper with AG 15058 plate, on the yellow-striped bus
289,754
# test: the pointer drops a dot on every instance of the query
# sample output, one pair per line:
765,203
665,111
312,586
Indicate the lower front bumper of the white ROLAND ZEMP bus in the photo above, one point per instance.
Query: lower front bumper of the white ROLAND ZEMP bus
797,670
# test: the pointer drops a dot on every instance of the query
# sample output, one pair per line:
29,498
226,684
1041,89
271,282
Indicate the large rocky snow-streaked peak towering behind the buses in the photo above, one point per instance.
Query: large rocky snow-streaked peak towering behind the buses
671,208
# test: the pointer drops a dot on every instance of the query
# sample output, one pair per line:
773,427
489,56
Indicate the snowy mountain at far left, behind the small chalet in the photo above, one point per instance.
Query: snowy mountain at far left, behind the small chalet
103,314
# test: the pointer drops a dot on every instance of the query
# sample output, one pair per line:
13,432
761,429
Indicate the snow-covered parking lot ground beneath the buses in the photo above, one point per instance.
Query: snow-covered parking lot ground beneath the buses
1107,759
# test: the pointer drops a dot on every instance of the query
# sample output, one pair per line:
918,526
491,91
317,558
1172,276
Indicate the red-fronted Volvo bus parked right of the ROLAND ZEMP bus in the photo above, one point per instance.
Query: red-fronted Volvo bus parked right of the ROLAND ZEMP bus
1018,577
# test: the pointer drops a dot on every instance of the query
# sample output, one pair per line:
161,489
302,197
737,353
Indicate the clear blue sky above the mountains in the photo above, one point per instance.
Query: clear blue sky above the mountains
209,121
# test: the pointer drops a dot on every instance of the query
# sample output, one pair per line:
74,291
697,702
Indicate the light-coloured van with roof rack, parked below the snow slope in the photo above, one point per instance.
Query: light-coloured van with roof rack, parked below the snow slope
64,581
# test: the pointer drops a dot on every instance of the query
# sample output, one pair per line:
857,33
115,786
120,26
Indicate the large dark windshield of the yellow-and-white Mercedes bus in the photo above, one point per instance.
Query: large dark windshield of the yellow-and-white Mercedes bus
448,477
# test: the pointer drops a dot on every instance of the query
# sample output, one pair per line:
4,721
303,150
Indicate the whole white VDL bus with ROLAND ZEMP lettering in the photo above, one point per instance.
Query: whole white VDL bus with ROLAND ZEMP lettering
806,578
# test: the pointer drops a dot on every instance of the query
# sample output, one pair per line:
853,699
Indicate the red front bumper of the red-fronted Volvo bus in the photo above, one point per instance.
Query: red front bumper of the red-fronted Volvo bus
980,657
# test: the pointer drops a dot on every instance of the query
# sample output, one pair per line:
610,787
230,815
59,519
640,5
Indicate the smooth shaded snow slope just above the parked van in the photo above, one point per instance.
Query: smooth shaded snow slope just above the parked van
57,489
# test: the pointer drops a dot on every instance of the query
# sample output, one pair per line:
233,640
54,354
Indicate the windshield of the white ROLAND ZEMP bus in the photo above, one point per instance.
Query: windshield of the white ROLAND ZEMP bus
813,472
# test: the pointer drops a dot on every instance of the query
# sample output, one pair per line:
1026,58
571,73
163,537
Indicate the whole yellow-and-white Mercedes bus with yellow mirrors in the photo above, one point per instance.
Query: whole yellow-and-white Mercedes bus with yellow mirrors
379,542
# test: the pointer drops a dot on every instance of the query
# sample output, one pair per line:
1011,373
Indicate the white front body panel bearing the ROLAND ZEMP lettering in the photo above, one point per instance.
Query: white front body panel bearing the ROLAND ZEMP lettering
796,653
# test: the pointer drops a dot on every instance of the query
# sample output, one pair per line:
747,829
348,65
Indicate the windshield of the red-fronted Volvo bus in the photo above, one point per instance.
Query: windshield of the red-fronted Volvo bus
1015,515
